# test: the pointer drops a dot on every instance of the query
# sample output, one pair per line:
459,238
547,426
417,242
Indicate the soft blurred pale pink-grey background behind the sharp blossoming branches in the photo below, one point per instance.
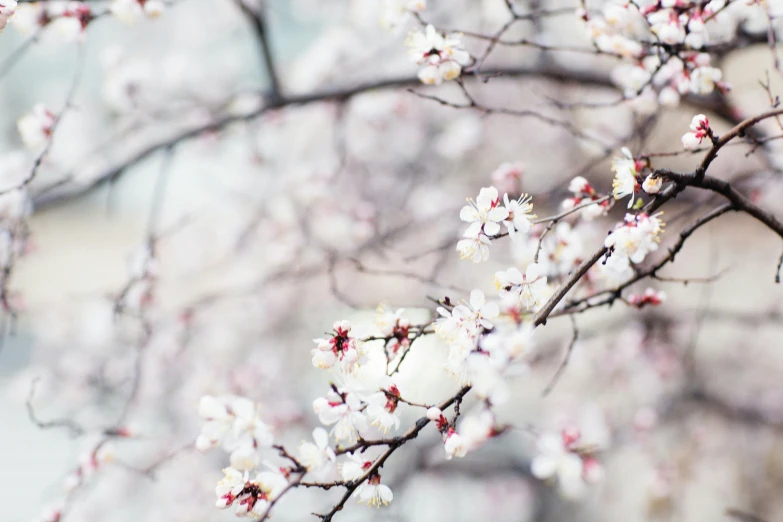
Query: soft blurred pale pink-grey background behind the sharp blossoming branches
157,268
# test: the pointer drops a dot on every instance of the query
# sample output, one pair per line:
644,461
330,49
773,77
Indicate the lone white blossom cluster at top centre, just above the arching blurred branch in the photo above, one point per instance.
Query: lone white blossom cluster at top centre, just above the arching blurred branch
442,56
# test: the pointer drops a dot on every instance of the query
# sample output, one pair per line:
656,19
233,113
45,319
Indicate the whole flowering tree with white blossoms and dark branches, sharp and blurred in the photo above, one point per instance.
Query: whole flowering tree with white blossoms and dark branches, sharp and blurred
333,169
